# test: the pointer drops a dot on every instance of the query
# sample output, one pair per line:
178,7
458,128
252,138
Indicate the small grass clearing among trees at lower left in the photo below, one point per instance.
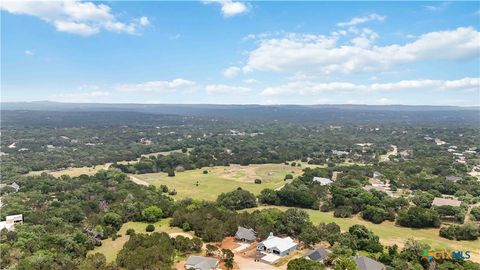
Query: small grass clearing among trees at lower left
110,248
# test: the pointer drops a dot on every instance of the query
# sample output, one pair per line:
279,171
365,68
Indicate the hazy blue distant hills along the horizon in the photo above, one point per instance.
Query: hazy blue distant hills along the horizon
291,113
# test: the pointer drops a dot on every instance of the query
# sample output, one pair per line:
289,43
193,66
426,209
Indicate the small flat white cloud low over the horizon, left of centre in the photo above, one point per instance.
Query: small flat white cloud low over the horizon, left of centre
157,86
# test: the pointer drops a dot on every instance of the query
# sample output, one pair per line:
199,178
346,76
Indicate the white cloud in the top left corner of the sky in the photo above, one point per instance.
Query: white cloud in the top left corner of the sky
75,17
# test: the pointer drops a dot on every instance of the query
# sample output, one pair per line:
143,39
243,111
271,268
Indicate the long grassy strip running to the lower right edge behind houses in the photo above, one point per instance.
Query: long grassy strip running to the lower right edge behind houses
390,233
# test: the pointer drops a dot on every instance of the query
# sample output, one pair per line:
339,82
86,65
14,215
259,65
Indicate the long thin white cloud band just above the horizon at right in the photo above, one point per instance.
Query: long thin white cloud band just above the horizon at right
312,88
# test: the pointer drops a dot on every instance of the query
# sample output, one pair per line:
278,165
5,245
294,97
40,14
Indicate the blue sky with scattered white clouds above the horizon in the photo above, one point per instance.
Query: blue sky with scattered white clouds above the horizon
416,53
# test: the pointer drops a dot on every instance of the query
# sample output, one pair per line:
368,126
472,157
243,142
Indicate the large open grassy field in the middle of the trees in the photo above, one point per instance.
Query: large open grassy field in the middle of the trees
222,179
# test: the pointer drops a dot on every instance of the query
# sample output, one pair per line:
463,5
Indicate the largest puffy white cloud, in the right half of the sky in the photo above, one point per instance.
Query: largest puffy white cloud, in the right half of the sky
322,54
